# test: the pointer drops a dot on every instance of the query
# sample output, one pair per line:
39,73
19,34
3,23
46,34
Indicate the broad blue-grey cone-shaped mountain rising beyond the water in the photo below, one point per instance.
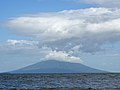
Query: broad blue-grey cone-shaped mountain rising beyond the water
55,66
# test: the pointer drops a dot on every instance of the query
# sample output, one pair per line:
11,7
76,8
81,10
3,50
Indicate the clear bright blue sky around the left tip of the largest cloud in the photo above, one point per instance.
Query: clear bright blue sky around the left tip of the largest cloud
14,8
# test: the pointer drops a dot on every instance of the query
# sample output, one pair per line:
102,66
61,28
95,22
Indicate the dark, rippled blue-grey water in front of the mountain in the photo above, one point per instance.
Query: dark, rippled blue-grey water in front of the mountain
60,81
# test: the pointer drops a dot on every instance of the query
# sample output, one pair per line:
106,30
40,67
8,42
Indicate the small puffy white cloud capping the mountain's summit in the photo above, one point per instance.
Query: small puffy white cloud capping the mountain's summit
62,56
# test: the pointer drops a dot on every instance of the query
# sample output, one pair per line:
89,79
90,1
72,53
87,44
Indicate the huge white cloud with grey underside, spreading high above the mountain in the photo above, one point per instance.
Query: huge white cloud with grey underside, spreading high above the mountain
89,29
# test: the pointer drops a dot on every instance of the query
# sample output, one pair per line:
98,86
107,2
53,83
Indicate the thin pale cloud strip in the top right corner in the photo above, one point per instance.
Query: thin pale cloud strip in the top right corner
104,3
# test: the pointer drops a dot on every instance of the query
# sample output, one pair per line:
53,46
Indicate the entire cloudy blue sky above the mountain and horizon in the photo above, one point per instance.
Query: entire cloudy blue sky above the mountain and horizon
80,31
